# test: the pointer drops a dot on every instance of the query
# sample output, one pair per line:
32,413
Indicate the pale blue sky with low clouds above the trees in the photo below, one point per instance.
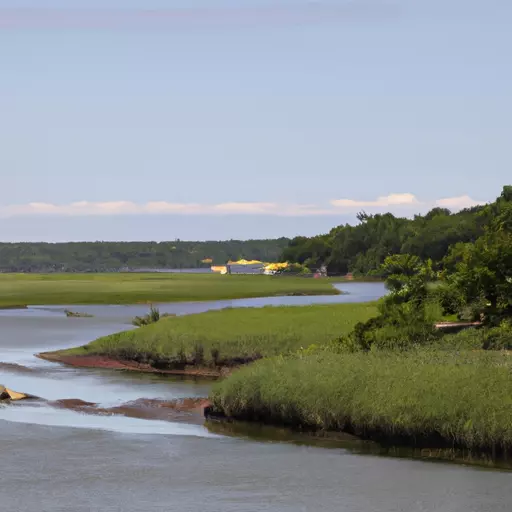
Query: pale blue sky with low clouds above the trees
219,119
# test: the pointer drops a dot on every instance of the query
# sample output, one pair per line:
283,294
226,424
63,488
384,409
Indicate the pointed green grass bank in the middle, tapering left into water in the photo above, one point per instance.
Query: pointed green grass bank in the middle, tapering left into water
230,336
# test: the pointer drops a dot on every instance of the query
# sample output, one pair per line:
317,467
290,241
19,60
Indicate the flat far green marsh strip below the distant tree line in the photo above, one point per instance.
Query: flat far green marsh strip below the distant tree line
126,288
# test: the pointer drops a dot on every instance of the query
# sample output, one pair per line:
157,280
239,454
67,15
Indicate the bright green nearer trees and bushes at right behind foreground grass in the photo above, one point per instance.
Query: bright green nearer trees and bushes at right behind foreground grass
472,282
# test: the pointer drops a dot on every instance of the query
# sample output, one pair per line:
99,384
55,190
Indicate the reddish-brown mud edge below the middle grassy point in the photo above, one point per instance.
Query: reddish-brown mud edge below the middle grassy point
120,364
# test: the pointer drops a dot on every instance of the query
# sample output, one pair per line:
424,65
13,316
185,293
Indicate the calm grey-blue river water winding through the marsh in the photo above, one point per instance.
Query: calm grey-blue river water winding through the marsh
60,460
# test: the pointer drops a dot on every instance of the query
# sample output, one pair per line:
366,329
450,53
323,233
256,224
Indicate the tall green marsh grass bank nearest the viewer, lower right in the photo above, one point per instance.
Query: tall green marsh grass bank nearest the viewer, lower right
421,398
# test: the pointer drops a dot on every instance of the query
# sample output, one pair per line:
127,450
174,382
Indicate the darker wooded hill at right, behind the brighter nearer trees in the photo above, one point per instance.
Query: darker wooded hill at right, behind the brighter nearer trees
438,236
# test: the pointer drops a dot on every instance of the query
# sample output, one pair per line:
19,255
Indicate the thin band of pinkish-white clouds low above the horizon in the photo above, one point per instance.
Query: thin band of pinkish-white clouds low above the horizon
400,204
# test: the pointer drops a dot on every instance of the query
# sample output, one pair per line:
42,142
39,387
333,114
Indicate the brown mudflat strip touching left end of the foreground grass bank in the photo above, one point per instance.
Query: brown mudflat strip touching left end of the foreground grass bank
189,410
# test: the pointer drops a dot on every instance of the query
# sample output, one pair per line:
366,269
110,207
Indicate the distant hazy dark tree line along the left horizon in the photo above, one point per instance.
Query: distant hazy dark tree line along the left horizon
113,256
